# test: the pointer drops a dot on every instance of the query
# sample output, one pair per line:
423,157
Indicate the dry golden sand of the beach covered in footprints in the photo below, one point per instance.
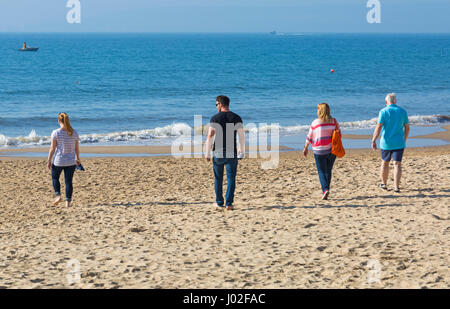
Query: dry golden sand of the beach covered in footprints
150,223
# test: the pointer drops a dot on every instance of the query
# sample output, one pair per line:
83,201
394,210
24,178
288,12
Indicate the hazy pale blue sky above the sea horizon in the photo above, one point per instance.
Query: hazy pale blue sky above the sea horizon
225,16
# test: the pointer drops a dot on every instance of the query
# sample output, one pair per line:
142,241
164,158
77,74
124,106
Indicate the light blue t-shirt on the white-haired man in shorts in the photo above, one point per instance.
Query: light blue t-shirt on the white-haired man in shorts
393,118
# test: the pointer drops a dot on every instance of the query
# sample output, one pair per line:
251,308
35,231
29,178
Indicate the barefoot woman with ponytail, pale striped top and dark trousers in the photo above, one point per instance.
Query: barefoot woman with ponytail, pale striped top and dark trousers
64,155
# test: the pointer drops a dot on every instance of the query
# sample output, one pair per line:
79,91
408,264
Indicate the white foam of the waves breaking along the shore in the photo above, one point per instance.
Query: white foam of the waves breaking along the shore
182,129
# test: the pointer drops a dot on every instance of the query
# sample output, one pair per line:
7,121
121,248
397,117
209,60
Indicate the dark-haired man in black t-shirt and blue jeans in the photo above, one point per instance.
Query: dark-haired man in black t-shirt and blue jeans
223,129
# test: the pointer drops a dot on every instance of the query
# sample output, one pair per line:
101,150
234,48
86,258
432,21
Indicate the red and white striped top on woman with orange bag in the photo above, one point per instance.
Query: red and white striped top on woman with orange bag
320,136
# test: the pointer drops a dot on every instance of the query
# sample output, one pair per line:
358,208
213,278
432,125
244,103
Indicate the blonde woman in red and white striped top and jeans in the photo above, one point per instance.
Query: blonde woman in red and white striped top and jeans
320,137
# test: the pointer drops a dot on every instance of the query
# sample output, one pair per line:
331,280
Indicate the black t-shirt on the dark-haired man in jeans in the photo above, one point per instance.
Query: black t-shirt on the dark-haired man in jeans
226,124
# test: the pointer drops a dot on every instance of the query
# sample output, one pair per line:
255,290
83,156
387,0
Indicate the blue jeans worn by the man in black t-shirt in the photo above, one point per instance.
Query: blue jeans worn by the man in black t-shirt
231,167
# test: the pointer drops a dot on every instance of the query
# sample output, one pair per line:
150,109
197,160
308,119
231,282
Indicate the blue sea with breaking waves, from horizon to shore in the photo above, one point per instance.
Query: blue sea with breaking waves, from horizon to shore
146,88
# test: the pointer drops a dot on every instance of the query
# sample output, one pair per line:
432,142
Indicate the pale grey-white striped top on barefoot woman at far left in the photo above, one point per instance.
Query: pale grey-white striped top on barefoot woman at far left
65,148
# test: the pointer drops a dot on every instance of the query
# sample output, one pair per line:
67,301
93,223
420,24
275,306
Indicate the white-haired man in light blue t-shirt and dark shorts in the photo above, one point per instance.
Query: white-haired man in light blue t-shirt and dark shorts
393,125
